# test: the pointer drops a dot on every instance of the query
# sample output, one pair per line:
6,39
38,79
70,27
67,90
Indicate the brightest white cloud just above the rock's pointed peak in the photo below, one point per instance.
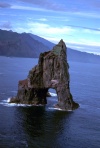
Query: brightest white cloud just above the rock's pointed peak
46,31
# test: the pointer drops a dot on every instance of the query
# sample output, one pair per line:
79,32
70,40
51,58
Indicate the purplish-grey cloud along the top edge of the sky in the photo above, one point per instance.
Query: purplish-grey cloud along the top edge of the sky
65,6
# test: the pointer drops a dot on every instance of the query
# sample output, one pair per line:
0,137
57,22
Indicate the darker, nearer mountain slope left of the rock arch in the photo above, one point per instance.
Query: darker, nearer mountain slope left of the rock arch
20,45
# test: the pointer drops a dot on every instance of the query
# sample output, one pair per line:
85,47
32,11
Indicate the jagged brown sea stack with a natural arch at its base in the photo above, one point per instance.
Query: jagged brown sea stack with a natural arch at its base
51,72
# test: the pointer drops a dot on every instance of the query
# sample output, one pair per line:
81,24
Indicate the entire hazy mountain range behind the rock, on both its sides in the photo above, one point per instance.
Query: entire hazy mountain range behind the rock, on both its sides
13,44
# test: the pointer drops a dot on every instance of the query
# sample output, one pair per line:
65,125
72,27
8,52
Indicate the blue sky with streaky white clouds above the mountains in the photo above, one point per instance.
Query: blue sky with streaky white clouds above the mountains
77,22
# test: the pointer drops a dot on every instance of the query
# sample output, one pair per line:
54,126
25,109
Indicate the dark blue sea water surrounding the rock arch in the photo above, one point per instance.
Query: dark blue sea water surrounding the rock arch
44,127
